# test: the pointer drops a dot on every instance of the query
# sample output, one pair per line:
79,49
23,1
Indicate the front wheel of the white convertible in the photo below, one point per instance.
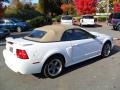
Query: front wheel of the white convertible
106,50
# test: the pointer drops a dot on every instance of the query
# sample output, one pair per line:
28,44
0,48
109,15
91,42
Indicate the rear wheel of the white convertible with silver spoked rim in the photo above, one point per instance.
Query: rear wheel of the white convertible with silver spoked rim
53,67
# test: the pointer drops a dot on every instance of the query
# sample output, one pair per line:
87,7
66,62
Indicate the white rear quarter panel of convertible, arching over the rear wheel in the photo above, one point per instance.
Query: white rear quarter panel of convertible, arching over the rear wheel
42,51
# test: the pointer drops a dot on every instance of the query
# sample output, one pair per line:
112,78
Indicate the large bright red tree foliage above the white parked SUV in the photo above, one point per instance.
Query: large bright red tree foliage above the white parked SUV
85,6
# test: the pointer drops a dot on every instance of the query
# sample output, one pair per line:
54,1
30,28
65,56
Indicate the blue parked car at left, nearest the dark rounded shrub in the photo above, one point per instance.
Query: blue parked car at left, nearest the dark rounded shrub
14,24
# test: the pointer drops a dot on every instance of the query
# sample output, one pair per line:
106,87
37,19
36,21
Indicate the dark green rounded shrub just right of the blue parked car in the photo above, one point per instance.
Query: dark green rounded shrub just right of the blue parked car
39,21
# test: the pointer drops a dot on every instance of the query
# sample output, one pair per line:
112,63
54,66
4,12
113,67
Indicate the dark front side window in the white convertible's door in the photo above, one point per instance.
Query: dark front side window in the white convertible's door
79,34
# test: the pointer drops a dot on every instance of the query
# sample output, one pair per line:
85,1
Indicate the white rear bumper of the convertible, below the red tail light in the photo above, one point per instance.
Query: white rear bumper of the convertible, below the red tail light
21,66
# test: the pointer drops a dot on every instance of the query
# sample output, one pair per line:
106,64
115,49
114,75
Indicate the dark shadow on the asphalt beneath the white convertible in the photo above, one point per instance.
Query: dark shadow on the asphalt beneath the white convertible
80,65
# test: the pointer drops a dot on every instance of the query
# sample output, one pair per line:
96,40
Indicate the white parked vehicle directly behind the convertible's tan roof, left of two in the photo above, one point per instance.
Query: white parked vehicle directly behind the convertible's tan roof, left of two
67,19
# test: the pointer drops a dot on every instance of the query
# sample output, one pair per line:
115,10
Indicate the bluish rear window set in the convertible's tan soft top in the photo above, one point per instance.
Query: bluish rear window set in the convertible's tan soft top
37,34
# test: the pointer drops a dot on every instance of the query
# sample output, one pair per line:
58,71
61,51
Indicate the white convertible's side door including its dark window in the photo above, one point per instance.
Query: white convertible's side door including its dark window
84,45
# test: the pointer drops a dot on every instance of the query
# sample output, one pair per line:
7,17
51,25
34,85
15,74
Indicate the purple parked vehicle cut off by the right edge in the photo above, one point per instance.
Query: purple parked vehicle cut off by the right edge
115,20
